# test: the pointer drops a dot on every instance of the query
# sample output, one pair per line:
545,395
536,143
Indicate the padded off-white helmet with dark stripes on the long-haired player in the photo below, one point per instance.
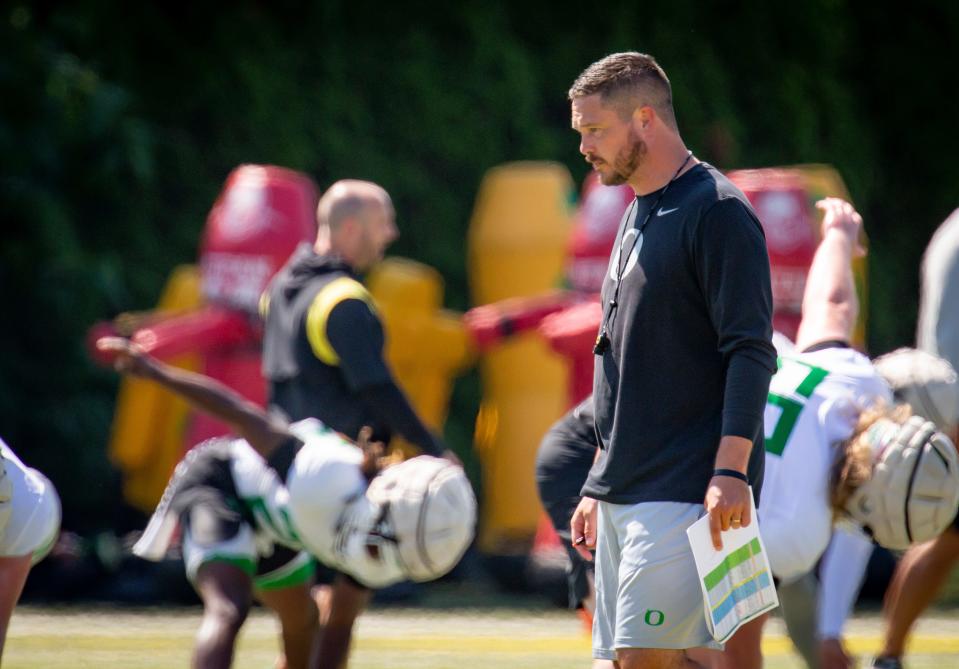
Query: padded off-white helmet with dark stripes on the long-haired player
913,492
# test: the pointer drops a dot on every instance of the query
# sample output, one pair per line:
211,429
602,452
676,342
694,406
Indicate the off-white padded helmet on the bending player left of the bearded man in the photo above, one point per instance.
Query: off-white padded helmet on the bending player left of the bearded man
427,512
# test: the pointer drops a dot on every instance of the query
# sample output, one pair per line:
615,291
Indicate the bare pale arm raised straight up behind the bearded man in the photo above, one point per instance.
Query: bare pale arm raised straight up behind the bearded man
830,305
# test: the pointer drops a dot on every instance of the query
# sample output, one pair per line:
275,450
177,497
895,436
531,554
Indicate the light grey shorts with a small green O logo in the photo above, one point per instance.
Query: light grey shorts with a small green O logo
647,588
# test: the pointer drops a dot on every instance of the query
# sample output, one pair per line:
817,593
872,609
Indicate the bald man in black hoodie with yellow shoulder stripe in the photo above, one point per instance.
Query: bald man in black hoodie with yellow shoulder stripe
323,355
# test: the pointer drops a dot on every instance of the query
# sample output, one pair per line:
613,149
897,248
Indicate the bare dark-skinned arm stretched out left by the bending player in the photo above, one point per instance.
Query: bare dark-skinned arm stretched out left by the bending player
263,432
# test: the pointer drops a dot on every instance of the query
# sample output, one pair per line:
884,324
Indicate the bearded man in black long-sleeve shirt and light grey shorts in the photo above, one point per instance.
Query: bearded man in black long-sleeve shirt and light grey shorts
684,359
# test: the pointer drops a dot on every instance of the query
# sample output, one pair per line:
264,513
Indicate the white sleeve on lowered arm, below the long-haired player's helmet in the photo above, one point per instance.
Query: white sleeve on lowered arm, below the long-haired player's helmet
841,576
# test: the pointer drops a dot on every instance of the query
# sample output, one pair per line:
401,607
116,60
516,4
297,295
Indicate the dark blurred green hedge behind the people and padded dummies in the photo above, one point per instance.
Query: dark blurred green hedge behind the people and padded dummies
120,121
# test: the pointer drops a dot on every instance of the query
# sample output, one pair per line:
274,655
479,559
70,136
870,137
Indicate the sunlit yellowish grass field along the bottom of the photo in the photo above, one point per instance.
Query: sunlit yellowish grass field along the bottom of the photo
395,637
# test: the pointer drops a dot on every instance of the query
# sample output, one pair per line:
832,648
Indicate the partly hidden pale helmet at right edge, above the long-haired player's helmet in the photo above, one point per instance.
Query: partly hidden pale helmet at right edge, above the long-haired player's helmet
927,383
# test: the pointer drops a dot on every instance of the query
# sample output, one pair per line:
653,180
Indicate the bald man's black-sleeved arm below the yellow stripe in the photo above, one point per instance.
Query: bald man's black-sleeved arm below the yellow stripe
355,334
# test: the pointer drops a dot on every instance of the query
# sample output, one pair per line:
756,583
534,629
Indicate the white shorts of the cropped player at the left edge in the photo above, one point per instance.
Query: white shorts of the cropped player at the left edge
34,519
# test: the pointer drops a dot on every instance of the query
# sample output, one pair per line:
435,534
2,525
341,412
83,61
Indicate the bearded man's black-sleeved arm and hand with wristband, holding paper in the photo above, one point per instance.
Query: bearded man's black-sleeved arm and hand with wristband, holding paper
730,257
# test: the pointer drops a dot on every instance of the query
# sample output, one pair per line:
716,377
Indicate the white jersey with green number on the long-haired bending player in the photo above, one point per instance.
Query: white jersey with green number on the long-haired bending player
814,403
